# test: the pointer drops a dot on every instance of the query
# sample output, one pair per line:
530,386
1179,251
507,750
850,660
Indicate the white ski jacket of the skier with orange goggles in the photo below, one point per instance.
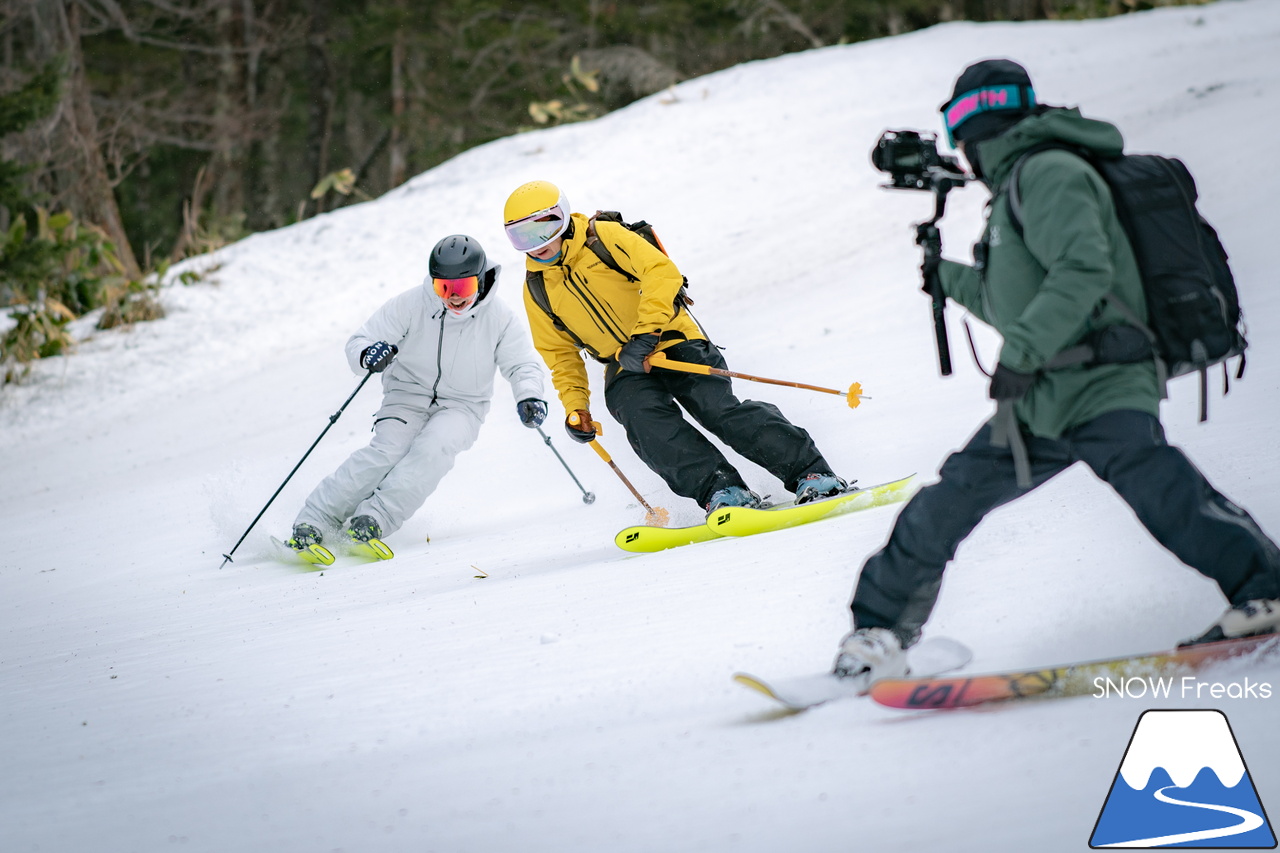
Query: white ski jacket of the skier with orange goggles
450,361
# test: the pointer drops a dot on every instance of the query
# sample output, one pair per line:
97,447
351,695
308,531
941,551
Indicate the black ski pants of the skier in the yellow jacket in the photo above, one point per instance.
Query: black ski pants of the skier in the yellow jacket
646,404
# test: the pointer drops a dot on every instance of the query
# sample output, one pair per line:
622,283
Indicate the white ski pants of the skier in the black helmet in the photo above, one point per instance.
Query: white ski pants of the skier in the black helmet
410,454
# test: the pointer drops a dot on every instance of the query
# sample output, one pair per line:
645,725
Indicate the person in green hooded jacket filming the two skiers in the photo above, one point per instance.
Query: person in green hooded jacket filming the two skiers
1043,288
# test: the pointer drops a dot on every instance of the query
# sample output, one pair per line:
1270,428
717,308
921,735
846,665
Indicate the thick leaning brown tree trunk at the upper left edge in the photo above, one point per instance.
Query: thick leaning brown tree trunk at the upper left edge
83,183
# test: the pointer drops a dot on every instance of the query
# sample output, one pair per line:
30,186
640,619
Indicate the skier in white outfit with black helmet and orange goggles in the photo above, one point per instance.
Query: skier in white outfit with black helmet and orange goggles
437,348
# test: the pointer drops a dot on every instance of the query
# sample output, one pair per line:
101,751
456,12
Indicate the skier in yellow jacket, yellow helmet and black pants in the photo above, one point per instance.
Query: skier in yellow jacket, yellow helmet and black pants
611,294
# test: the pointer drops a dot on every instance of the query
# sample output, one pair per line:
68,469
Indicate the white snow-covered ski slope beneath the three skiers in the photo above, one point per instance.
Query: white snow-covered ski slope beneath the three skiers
522,685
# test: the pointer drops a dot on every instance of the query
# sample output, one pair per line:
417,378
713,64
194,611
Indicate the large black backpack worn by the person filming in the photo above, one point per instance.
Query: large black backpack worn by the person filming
1194,309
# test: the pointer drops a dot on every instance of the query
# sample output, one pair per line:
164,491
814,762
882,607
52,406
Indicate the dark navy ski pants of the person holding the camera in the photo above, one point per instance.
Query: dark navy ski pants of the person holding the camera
899,585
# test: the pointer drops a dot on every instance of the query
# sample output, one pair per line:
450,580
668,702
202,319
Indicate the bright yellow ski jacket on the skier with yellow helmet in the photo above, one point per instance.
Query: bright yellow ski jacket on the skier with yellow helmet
602,308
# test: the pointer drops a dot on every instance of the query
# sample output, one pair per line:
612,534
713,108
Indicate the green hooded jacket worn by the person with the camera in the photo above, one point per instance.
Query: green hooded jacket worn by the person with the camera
1044,290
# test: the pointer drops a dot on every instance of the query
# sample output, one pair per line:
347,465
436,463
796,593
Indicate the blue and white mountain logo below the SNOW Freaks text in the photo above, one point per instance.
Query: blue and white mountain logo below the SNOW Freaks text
1183,783
